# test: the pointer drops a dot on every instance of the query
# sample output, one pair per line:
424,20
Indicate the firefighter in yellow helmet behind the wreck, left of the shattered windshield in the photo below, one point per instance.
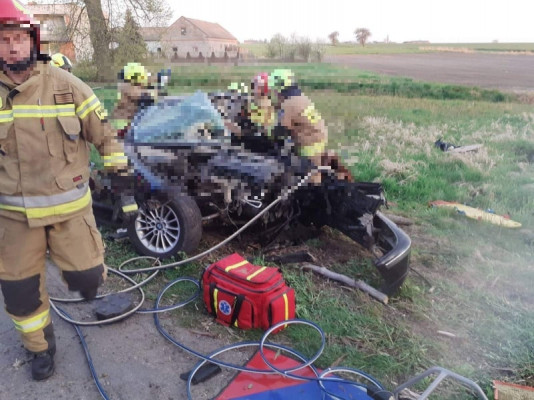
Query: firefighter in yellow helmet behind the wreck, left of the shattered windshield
135,91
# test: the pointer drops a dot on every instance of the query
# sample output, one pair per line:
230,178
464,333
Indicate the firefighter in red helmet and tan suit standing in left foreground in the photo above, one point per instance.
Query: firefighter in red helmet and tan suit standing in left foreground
47,119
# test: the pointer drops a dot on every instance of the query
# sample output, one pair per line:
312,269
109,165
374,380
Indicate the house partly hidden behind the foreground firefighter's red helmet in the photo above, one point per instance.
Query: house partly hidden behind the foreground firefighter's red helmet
56,21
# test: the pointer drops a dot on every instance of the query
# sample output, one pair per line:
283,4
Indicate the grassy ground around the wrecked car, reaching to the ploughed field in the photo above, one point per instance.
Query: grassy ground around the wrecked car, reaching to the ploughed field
478,277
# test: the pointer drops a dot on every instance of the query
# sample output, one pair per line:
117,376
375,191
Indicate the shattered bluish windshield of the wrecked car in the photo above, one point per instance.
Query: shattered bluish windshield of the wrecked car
192,119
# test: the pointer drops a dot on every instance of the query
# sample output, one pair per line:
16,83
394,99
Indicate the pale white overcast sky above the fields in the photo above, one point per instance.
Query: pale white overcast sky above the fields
438,21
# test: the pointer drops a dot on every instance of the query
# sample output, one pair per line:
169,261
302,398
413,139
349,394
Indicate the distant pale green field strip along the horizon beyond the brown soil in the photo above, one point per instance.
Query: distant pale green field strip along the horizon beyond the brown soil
259,49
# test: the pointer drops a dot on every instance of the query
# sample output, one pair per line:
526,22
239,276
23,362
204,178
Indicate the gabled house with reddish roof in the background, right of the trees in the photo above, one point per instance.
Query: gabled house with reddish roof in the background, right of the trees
192,38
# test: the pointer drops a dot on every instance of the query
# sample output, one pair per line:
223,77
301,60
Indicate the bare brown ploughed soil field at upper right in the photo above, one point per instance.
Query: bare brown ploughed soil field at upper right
509,72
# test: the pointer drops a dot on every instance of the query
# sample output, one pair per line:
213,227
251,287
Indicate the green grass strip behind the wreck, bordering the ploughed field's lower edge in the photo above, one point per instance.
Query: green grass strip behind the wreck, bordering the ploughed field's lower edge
321,77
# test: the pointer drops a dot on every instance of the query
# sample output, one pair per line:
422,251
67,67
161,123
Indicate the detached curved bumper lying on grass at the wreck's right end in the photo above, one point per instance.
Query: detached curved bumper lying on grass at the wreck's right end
395,244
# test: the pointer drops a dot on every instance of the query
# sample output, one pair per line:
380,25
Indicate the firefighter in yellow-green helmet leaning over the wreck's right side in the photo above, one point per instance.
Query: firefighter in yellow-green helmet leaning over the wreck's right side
297,115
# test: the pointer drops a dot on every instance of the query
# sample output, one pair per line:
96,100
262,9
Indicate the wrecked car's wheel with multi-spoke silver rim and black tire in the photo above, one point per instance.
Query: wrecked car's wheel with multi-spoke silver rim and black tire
168,229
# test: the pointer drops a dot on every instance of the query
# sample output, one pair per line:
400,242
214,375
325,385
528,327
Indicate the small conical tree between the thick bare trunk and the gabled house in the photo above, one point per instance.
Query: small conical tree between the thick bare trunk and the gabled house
132,47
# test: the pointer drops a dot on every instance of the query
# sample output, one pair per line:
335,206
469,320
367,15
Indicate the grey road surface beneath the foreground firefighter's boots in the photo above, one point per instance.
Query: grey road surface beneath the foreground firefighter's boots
132,359
